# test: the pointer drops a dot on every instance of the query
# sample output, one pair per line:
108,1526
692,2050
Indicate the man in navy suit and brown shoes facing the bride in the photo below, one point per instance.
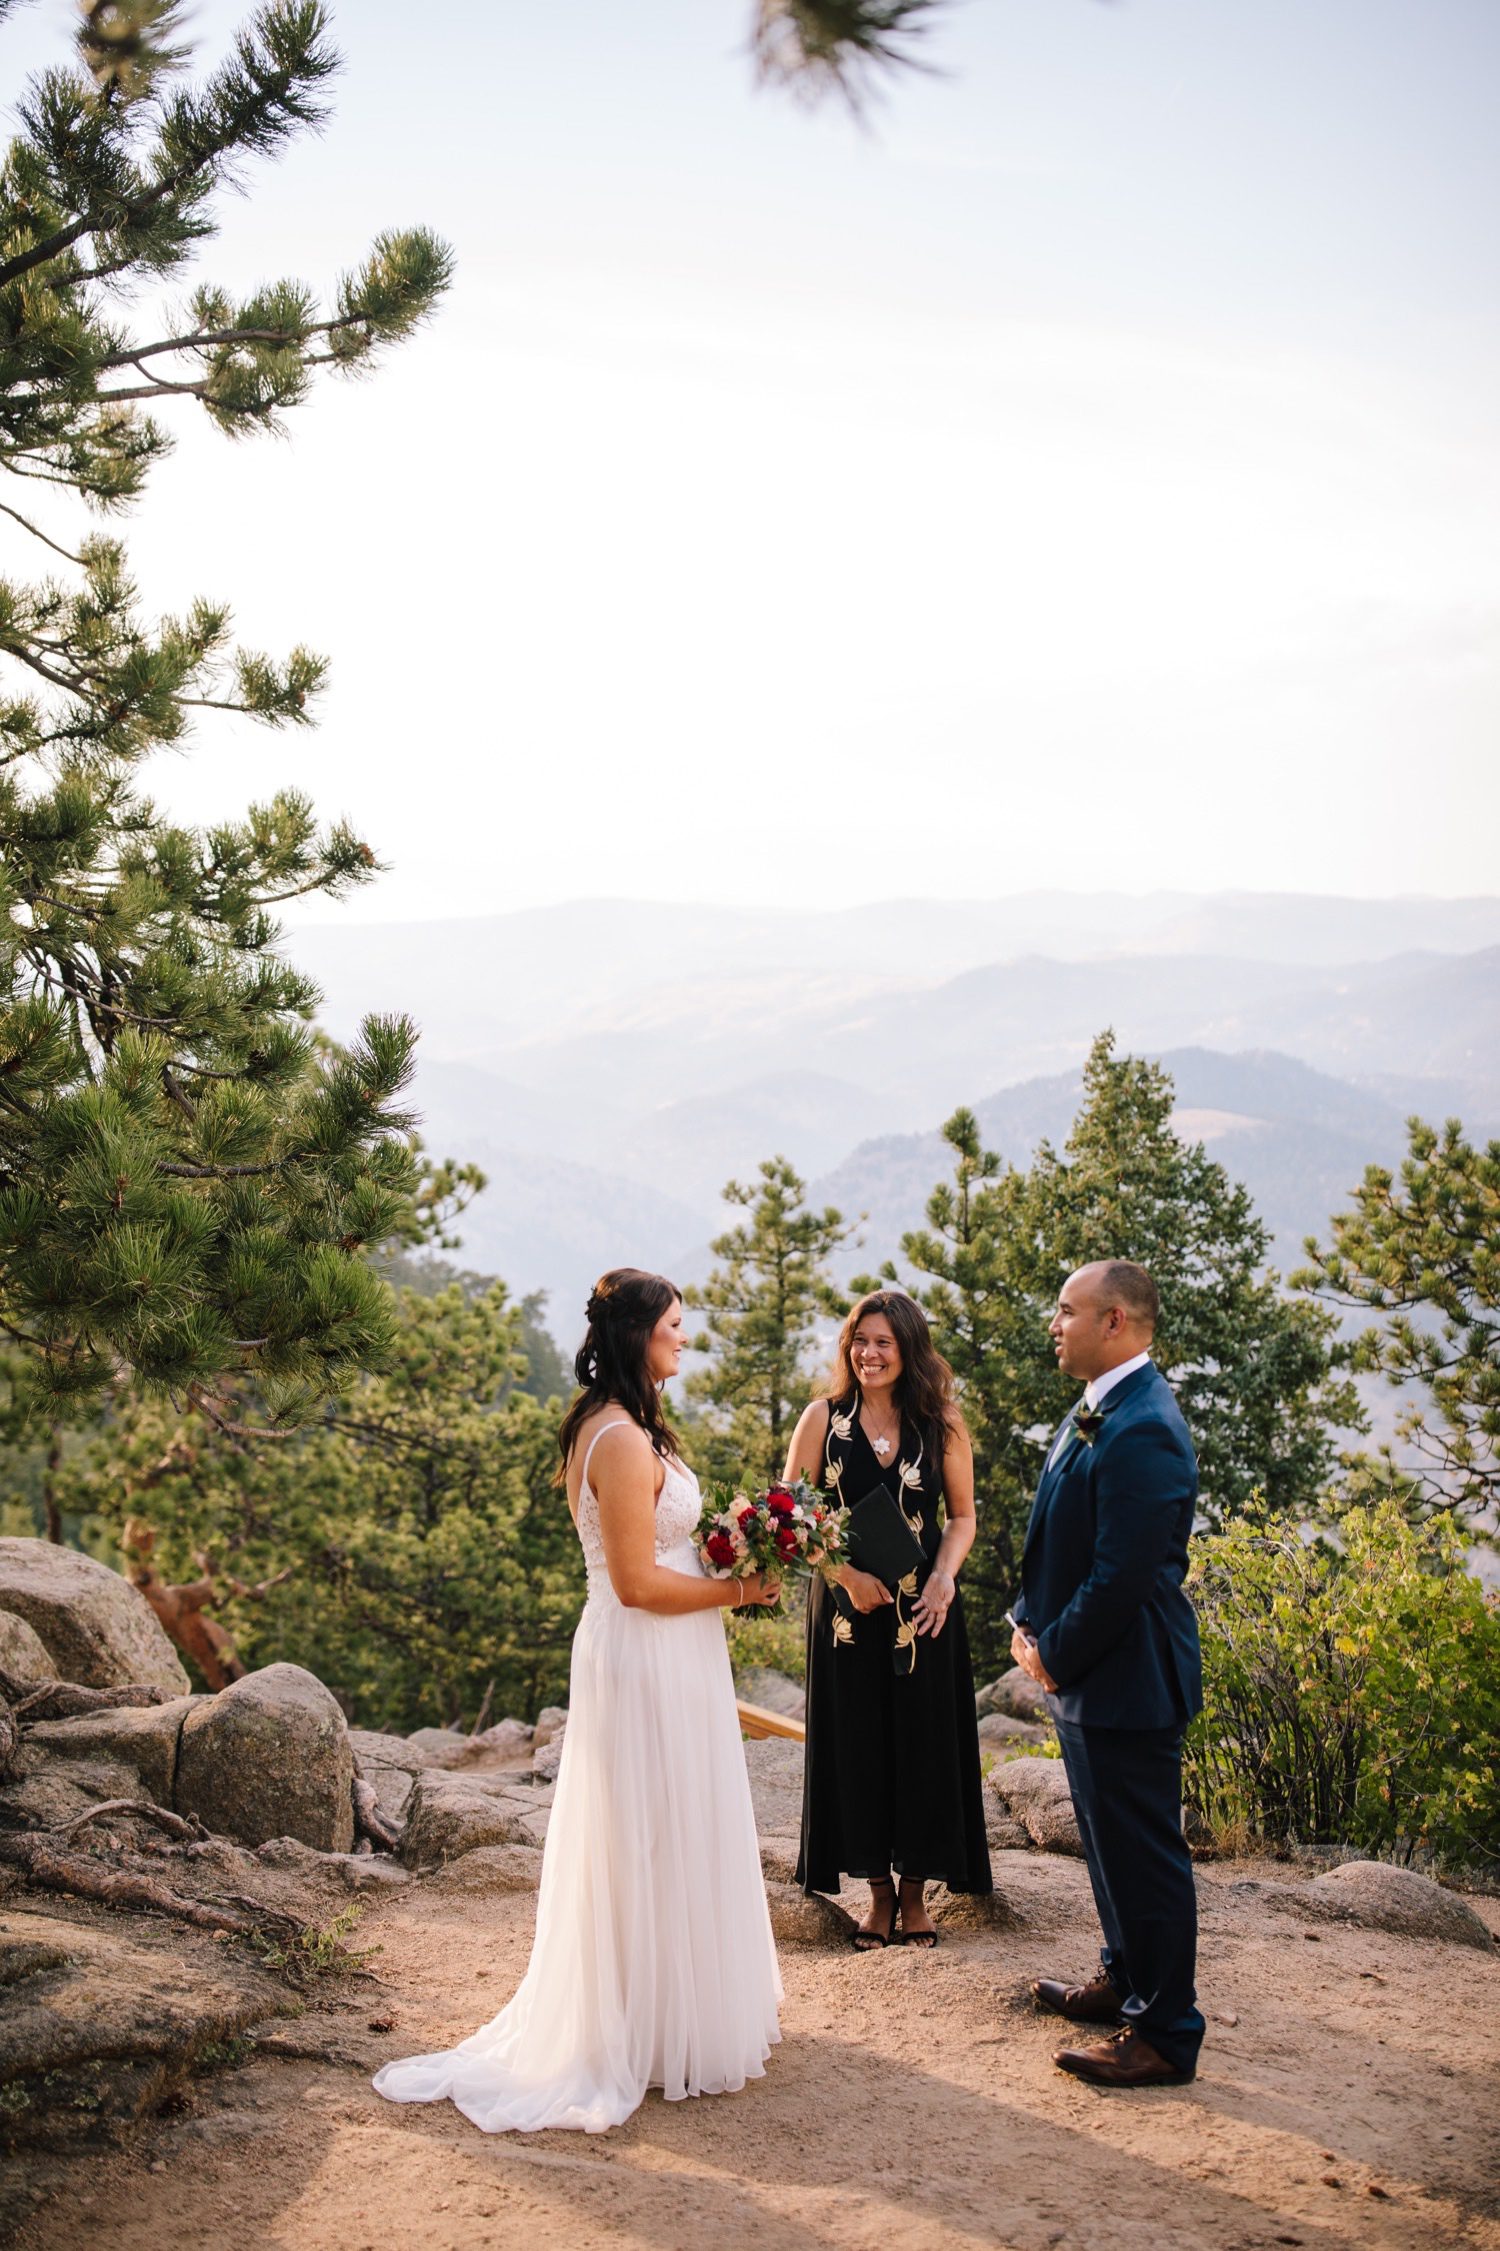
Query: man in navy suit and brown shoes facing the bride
1107,1631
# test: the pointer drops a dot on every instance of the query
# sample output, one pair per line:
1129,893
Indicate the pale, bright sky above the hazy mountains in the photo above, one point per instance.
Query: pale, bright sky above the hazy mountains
1087,476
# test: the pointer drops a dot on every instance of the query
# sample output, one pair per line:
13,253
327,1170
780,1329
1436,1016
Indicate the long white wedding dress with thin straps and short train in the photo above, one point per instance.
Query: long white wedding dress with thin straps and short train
654,1962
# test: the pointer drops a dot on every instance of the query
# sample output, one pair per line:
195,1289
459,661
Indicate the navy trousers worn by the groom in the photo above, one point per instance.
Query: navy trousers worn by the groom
1127,1793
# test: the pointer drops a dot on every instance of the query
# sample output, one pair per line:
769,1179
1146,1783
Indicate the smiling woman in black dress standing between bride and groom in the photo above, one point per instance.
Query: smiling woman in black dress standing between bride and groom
891,1786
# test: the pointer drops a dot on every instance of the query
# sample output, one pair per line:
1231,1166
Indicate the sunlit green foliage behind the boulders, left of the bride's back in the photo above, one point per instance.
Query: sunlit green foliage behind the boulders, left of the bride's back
431,1557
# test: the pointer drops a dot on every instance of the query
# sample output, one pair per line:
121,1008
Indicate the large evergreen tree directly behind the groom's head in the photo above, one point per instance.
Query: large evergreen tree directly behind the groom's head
1249,1365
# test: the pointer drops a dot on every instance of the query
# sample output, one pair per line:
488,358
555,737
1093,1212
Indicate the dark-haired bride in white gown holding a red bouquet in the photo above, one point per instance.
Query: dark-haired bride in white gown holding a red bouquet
654,1962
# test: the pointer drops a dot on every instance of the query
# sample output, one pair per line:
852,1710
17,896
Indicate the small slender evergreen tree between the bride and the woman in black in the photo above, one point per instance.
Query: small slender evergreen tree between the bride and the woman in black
762,1307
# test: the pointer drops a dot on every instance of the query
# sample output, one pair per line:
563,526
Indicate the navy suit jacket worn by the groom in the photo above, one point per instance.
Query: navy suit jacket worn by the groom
1105,1563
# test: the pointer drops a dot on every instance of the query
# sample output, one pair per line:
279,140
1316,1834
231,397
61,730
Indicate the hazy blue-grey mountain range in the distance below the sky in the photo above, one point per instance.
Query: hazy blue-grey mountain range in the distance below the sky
614,1064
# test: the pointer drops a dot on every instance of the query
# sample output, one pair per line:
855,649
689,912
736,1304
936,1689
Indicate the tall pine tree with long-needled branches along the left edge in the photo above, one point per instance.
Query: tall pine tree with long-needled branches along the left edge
188,1183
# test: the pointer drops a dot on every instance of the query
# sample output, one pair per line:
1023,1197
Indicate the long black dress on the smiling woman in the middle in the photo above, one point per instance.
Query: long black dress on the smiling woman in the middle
893,1739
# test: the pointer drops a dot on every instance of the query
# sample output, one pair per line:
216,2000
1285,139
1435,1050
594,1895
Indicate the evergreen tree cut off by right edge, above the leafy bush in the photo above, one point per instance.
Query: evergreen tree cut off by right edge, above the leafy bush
1425,1255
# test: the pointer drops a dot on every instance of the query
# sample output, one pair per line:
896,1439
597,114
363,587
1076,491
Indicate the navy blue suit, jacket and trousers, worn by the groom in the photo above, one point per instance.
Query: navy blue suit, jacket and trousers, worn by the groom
1102,1590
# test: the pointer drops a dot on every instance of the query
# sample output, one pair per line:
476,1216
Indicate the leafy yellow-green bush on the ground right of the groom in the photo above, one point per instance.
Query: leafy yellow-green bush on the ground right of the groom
1352,1689
